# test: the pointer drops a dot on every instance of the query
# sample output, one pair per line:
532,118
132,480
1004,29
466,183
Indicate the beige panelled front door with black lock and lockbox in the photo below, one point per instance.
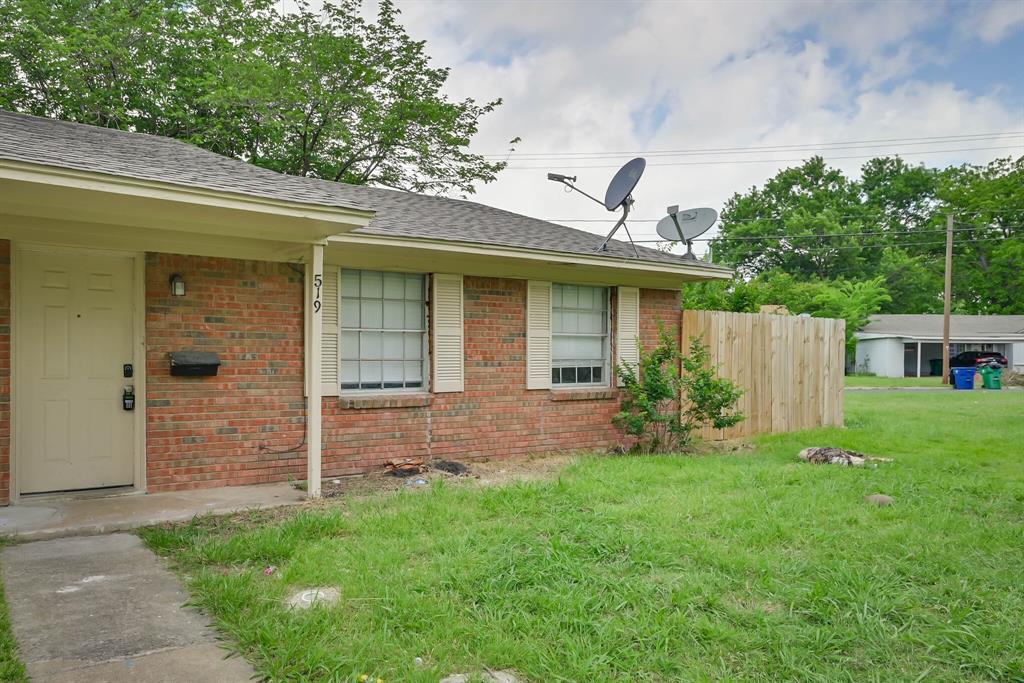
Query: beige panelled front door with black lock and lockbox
74,335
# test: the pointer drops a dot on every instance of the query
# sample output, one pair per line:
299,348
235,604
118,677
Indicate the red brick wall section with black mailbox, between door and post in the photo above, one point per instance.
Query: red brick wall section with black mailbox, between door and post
211,432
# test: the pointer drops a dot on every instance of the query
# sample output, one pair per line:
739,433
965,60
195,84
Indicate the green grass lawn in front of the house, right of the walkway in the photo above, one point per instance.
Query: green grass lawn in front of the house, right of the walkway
659,569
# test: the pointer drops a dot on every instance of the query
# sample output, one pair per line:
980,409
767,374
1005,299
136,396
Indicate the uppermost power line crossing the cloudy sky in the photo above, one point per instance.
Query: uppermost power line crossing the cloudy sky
583,156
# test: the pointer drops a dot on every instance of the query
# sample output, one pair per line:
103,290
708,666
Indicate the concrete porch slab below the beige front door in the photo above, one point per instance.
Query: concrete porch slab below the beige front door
55,518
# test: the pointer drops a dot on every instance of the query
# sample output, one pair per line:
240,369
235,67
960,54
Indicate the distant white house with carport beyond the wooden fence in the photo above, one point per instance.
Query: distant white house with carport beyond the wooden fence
907,346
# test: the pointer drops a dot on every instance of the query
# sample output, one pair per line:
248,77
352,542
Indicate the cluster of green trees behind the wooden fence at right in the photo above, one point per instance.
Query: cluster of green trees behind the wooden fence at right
819,229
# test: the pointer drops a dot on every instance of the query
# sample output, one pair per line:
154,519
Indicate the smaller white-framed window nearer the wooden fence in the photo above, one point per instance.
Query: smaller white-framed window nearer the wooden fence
579,335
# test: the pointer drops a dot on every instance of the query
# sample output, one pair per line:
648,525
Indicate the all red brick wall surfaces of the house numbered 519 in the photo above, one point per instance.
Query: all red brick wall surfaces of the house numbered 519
223,431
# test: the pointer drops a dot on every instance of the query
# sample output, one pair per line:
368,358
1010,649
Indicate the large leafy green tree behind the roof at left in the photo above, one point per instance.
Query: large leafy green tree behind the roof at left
323,94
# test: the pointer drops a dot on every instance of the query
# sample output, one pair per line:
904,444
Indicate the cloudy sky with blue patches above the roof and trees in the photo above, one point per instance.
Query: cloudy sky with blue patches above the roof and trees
631,78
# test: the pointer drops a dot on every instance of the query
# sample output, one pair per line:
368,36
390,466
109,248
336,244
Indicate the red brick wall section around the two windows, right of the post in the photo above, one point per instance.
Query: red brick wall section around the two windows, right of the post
496,416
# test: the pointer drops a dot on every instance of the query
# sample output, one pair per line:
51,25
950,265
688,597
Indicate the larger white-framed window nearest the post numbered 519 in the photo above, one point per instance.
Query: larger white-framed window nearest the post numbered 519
383,330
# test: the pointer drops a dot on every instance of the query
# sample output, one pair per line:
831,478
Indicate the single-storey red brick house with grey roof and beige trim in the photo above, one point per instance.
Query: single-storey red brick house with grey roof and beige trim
412,326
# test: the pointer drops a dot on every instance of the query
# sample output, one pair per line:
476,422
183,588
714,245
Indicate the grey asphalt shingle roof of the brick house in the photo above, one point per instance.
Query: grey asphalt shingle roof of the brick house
92,149
